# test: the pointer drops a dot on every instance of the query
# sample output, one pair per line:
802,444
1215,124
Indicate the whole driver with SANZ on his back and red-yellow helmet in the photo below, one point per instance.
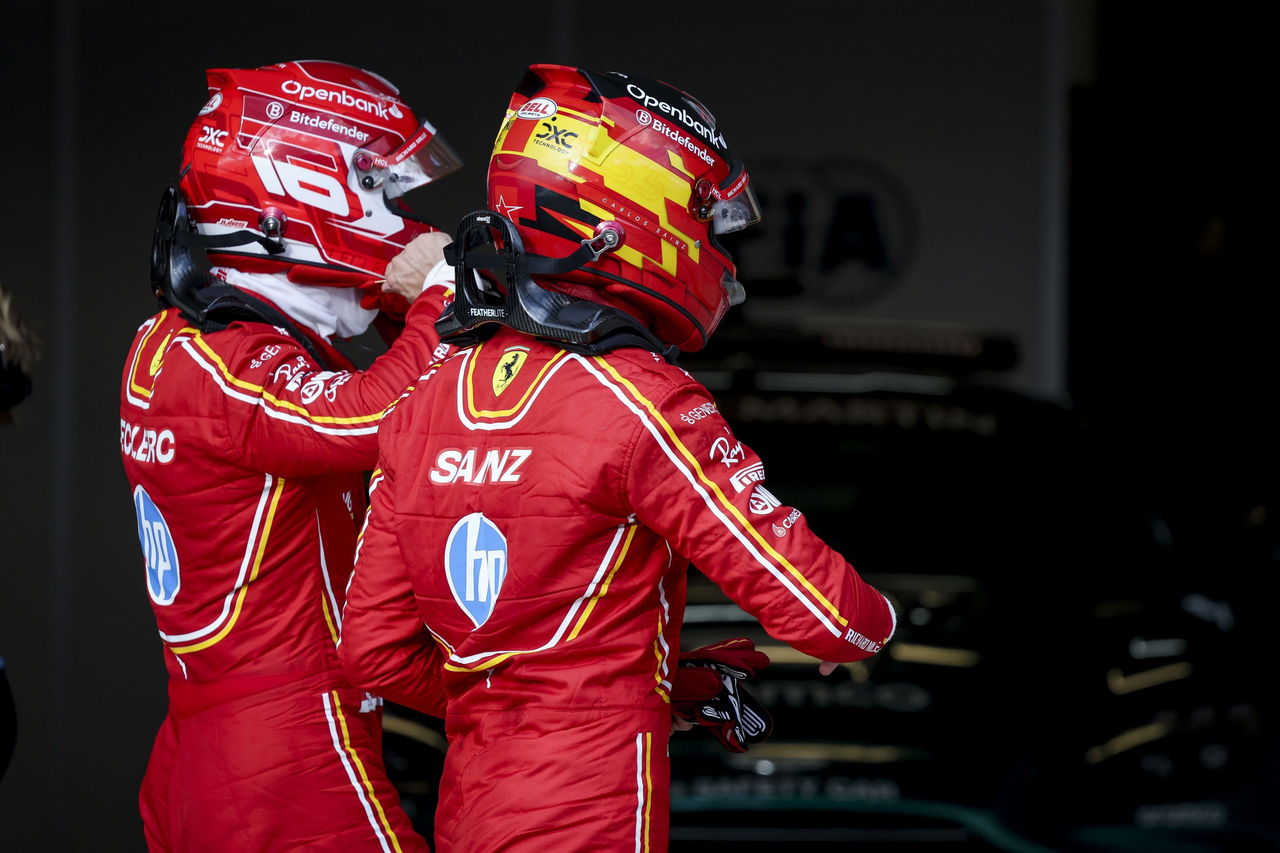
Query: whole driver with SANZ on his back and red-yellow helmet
542,492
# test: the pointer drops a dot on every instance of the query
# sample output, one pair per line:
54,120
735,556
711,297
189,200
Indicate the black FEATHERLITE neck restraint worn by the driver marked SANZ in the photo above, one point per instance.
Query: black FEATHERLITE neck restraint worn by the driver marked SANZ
488,241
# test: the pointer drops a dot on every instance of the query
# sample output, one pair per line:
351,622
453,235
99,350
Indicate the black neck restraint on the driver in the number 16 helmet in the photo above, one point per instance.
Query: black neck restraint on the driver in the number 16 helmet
181,282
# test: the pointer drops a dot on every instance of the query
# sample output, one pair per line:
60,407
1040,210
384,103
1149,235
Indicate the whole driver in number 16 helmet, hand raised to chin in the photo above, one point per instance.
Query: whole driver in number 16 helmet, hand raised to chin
246,439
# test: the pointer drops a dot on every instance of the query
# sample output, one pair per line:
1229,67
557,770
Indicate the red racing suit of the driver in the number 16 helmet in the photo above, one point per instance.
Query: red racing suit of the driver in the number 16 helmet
245,460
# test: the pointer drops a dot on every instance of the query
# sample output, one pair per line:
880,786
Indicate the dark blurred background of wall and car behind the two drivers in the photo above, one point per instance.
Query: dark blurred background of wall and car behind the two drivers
1023,240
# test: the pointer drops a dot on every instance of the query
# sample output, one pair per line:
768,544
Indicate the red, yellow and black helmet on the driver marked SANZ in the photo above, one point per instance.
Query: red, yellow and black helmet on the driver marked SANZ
580,150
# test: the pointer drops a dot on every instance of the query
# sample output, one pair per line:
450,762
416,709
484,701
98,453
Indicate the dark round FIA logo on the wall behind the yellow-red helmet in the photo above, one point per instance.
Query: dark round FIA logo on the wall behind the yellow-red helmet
840,232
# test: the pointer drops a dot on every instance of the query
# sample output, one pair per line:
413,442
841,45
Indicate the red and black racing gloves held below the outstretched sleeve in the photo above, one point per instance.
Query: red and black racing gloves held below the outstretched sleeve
707,691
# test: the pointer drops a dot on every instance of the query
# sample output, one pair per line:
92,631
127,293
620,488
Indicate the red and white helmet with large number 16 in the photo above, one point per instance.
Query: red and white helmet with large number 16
314,154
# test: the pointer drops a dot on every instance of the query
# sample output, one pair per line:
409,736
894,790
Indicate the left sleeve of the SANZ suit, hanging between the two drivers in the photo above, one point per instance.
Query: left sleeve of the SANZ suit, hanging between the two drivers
386,649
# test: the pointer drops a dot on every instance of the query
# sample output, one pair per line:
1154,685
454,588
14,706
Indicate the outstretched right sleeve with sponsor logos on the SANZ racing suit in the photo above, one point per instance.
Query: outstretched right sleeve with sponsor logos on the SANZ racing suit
694,483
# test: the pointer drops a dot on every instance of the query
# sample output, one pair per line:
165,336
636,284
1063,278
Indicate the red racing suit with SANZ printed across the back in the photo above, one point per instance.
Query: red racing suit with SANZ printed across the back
533,521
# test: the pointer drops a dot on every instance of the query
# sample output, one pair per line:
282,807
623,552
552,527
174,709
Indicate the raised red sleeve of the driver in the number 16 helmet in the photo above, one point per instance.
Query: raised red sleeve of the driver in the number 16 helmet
285,416
